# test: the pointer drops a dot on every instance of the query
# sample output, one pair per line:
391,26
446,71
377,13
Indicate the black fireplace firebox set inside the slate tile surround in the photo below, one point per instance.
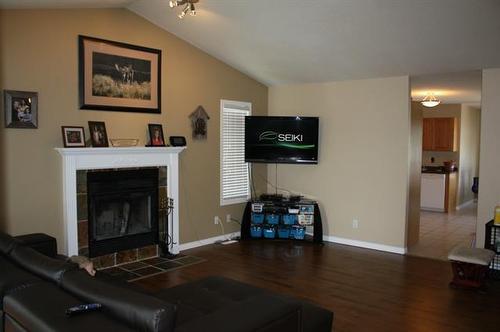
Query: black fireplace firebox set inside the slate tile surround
122,210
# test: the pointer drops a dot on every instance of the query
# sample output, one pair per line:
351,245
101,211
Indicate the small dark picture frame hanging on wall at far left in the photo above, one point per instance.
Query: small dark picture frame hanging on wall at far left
21,109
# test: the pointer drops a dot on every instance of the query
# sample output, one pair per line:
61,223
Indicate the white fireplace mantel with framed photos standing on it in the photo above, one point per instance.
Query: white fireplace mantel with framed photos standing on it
74,159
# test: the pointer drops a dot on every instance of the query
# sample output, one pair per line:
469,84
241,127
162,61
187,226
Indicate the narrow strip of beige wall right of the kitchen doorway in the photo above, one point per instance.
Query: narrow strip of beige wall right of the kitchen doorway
489,162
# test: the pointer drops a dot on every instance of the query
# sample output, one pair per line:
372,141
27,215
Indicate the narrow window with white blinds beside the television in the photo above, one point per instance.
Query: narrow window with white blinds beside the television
234,178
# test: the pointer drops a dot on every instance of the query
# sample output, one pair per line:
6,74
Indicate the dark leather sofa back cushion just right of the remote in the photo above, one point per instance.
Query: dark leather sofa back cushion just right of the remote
140,311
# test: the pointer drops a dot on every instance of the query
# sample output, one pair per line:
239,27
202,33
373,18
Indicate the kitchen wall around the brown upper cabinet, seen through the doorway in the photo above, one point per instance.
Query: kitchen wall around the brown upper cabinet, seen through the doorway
442,111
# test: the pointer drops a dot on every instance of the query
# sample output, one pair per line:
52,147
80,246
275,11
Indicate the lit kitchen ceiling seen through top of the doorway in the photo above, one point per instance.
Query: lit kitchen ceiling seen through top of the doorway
451,88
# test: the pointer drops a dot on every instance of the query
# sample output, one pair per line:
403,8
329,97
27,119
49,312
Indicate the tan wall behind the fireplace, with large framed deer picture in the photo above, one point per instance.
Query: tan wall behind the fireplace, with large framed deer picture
38,52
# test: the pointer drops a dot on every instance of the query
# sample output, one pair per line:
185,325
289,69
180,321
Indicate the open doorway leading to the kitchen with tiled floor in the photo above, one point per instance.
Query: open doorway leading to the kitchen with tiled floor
445,159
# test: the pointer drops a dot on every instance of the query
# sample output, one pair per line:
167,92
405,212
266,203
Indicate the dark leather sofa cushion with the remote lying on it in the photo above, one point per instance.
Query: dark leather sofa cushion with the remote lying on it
42,307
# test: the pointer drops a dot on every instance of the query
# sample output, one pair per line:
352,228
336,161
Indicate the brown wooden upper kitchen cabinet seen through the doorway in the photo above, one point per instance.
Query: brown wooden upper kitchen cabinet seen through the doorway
439,134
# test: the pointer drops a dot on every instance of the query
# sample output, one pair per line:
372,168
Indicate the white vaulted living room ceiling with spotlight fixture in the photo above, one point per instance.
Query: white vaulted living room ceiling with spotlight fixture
300,41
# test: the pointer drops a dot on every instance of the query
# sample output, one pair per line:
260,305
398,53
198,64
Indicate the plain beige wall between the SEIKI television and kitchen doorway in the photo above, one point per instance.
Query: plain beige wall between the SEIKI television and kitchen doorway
364,150
